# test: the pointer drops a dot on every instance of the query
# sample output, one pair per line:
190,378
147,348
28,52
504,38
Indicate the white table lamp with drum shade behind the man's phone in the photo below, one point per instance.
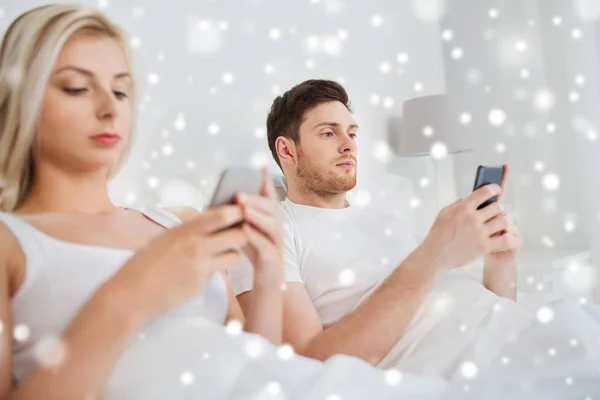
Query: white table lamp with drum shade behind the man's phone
436,123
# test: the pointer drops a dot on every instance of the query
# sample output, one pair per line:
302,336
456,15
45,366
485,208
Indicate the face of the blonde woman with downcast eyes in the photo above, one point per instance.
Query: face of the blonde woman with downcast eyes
85,120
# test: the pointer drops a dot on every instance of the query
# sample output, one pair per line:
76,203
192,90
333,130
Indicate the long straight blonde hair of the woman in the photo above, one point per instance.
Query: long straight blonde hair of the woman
28,52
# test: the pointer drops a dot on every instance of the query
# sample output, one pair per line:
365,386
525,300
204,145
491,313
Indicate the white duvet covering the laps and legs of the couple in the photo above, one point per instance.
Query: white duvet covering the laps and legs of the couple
458,346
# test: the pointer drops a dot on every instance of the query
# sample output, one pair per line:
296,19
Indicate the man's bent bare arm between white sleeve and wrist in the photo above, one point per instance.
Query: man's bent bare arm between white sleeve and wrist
370,331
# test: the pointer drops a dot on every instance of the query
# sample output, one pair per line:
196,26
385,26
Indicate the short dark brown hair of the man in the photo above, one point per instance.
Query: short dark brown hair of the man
287,111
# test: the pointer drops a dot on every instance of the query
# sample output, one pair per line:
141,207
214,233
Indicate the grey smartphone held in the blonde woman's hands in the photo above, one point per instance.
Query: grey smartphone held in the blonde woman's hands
235,180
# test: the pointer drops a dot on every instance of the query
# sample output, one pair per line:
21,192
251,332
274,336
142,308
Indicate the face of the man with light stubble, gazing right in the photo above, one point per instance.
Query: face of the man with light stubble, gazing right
326,153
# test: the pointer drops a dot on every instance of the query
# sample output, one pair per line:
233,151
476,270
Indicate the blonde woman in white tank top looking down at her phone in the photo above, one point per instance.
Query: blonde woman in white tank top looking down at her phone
73,263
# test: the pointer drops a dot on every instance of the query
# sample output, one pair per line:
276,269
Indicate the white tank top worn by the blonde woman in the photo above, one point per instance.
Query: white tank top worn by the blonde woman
61,276
